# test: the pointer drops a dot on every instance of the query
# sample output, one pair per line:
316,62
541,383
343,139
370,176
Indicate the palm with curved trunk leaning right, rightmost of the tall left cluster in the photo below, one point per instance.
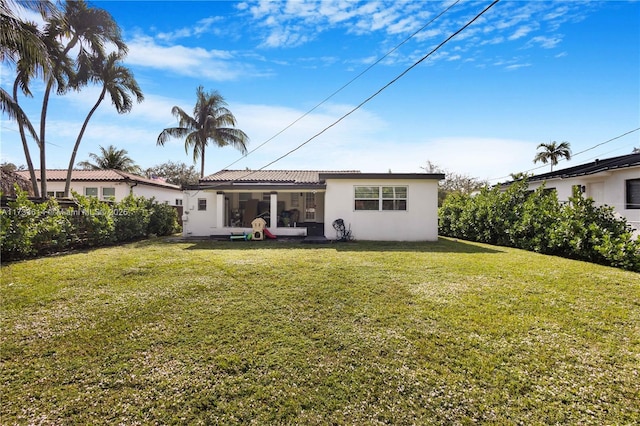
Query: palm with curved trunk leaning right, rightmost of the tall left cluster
118,82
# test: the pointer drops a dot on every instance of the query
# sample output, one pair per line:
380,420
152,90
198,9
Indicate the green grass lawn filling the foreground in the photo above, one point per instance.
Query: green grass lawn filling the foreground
284,333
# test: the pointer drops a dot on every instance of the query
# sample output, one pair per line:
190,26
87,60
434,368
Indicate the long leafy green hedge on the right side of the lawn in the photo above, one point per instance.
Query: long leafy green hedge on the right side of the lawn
537,221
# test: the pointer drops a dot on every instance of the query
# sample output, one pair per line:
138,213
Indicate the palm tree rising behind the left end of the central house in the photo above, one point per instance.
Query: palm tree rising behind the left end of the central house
211,121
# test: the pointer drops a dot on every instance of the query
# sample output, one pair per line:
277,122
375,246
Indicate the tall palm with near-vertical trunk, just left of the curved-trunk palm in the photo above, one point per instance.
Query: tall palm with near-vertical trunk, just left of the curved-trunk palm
87,28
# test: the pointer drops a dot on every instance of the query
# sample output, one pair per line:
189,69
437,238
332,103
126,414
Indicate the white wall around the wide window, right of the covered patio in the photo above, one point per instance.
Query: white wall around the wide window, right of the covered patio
418,223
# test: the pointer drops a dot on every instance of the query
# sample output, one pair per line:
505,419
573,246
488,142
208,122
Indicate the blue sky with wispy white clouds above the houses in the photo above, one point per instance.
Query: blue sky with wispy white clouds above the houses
524,73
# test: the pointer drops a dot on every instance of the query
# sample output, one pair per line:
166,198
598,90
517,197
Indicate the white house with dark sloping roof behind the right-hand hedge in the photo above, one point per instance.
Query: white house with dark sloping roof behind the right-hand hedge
612,181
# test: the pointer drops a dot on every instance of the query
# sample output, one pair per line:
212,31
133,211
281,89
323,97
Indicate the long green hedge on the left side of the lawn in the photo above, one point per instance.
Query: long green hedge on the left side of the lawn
31,228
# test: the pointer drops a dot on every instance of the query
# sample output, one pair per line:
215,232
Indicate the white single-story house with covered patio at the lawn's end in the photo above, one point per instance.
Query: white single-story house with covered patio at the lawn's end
375,206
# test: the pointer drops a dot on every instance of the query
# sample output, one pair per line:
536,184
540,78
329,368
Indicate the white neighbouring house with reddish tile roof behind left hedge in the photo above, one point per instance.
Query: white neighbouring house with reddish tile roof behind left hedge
110,184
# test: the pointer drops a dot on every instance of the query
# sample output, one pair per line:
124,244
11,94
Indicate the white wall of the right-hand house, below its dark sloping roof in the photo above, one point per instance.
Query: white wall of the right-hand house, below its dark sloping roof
607,188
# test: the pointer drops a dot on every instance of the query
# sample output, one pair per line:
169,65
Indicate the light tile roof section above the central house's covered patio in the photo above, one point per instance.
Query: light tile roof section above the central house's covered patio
291,177
